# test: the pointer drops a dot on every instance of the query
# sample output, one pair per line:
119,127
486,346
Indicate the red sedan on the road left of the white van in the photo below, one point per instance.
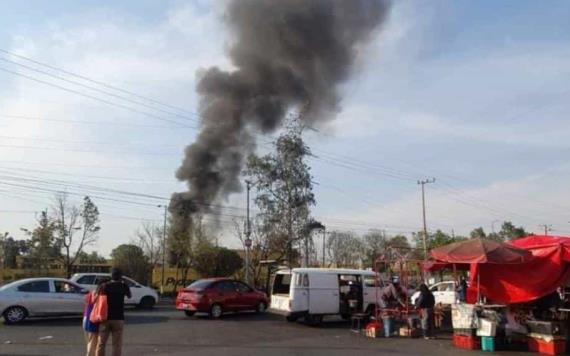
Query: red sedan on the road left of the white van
216,296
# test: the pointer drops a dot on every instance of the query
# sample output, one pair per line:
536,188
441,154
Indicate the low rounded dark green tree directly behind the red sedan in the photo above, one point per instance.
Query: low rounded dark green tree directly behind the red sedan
214,261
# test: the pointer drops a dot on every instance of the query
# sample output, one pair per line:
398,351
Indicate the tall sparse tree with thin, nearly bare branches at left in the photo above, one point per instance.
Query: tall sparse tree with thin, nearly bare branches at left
75,228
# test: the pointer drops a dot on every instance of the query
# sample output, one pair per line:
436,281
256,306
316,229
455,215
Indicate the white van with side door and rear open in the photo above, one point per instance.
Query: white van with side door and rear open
312,293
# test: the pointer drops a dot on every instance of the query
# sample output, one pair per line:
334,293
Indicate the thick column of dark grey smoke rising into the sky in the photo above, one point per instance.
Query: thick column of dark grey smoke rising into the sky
287,54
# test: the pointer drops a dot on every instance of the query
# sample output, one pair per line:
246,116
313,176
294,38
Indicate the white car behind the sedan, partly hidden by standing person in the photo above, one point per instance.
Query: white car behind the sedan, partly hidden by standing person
142,296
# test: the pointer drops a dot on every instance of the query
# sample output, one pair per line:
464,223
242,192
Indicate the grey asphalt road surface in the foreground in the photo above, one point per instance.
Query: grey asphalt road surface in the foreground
165,331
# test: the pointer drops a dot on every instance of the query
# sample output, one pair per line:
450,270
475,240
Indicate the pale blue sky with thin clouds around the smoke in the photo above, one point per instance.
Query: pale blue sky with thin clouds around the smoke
472,93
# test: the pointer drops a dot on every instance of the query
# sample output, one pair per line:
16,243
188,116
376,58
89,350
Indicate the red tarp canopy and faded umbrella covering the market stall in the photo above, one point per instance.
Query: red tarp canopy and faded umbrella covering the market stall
519,271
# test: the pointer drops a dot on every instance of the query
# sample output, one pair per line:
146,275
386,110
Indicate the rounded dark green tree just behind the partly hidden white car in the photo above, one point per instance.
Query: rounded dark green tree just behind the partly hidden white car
130,259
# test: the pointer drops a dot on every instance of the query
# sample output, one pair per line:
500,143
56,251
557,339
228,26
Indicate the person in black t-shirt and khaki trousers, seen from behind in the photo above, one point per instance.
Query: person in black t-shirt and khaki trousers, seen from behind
116,290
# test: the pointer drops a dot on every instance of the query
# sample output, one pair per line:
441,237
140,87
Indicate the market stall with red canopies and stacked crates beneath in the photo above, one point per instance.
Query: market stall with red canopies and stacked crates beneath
512,299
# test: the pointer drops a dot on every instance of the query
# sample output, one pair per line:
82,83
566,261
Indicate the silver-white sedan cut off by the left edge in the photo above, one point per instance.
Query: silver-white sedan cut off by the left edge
40,297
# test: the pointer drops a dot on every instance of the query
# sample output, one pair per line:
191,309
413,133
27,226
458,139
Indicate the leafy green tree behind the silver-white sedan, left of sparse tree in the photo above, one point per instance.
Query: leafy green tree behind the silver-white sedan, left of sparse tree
42,247
